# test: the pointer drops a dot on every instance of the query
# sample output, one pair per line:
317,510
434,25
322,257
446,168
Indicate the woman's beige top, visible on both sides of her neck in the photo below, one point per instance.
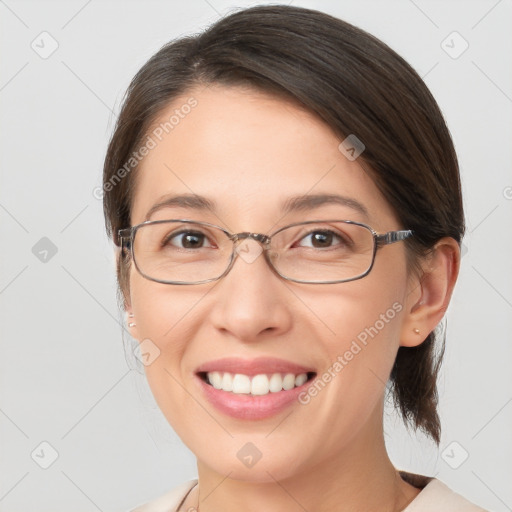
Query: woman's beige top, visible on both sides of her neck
434,496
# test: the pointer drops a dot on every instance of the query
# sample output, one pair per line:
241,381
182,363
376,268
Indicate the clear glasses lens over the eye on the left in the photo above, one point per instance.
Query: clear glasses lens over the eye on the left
181,252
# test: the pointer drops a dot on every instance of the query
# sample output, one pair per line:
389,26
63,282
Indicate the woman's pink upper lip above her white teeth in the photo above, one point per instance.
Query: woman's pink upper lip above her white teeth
252,367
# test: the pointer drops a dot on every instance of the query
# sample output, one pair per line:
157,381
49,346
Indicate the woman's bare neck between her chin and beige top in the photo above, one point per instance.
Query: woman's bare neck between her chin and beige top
359,476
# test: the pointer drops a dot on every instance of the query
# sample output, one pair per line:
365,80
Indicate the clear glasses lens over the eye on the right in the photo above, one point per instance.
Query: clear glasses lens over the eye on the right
323,251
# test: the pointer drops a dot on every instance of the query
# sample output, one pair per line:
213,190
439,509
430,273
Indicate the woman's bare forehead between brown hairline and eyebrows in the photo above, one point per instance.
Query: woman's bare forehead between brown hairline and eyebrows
249,152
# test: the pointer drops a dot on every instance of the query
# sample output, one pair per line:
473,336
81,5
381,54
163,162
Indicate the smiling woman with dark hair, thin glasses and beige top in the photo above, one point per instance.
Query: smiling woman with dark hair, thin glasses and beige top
285,199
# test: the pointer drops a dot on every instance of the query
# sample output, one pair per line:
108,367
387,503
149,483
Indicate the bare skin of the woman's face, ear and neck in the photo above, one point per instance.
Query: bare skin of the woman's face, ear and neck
250,151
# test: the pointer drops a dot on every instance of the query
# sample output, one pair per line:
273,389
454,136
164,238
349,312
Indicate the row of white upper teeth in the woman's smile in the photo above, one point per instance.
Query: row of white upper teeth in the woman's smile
260,384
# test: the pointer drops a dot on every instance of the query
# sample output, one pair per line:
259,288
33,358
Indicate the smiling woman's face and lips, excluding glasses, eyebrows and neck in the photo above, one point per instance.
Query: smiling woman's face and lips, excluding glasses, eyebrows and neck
249,153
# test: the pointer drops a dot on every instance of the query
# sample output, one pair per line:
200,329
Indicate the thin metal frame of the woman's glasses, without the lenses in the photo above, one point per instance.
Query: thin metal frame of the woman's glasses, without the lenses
127,238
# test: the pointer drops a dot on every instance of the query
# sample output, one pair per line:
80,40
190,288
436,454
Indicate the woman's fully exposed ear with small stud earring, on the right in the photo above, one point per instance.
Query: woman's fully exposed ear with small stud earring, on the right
429,294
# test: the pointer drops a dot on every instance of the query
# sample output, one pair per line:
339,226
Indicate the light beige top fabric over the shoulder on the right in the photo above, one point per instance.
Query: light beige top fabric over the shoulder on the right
436,495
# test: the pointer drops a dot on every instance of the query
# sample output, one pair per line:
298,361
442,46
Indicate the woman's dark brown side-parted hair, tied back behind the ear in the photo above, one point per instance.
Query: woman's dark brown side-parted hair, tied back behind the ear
357,85
